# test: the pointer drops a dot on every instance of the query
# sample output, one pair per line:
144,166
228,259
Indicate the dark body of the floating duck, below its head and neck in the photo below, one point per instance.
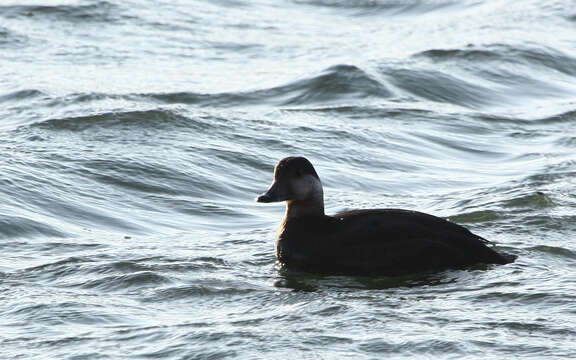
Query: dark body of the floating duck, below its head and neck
380,241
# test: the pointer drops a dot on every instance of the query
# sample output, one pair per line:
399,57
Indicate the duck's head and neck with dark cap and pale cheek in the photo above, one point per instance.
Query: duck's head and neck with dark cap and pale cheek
297,183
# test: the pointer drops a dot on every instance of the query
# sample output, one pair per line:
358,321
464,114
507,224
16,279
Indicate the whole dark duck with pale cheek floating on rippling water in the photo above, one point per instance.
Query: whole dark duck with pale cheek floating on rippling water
383,241
